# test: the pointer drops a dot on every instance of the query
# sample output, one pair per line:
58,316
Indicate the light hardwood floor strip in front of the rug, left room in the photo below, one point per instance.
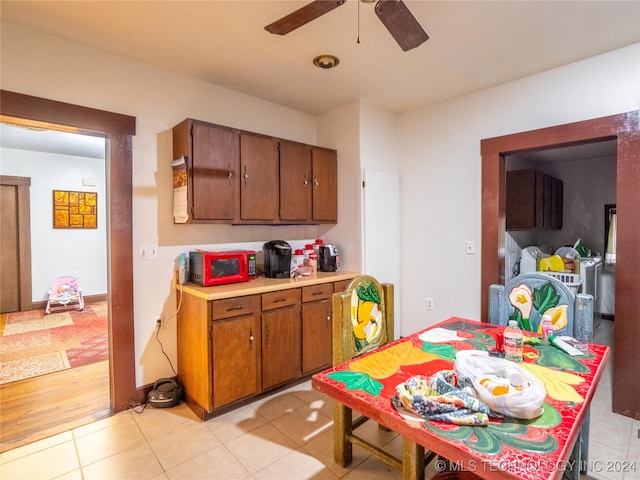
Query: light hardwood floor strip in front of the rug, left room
36,408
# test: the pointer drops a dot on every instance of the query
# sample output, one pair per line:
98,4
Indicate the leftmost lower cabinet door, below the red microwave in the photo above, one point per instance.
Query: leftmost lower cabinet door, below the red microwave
235,359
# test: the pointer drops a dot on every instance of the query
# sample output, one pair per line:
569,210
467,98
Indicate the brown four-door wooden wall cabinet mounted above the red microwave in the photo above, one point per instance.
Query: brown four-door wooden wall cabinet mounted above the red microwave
240,177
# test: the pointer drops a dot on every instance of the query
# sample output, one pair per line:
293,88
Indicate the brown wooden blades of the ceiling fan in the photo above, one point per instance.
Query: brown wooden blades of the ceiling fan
394,15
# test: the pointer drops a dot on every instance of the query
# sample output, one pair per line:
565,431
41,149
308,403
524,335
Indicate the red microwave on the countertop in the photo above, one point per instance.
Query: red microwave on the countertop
222,267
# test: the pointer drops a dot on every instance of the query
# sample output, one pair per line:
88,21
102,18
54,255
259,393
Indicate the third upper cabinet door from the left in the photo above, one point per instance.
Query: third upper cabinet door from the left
295,181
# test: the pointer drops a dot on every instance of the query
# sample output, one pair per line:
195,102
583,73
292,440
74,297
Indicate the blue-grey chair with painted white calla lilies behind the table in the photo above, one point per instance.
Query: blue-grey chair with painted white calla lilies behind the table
526,298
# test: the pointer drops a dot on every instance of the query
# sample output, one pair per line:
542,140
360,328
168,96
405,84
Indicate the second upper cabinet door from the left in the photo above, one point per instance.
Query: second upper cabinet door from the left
259,178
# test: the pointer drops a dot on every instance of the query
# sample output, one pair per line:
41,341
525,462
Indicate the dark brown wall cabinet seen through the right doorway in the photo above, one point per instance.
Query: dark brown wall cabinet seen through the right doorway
534,201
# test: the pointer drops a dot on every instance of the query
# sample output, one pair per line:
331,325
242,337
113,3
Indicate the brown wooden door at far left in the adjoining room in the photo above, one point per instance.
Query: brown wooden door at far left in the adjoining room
15,244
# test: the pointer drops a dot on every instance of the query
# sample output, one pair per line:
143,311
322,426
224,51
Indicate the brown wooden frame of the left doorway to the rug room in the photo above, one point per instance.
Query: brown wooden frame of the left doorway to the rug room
119,131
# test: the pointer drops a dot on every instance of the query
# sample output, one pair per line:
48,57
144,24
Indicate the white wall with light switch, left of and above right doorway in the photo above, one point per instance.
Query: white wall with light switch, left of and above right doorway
440,171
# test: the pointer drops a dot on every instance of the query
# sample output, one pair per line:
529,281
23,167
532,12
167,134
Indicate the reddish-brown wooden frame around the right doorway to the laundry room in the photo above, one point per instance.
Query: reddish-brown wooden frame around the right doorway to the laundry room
625,128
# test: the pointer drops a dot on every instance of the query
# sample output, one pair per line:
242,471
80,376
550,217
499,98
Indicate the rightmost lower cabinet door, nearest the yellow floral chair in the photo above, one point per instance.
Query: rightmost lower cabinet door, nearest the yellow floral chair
316,335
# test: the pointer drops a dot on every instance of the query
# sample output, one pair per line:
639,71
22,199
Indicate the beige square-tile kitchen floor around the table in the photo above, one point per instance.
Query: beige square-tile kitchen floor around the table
285,436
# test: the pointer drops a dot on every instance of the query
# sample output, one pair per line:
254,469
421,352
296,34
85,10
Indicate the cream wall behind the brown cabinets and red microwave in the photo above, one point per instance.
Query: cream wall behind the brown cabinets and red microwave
37,64
